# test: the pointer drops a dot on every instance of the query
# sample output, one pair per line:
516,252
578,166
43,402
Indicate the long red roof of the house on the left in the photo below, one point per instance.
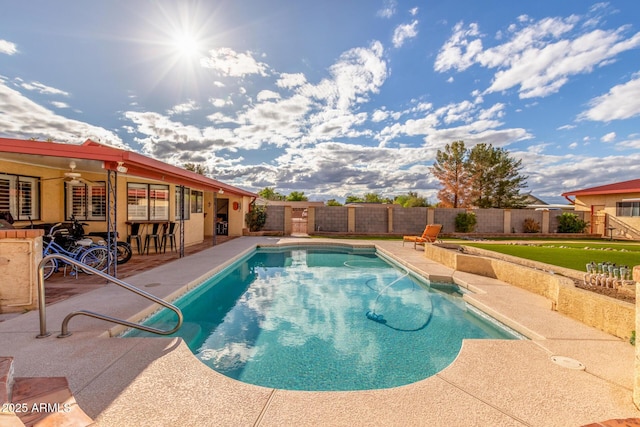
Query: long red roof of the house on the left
112,158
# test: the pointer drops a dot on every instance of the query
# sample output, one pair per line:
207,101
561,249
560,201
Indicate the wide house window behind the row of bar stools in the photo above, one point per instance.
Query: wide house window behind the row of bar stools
147,202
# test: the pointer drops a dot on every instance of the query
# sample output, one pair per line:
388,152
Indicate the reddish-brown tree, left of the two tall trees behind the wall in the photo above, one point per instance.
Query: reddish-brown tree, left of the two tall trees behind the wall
451,169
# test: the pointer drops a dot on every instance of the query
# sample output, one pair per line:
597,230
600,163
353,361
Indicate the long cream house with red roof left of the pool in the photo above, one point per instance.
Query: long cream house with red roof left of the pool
110,188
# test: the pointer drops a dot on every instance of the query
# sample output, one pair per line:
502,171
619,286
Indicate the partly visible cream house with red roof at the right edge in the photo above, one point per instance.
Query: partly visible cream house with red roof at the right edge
614,208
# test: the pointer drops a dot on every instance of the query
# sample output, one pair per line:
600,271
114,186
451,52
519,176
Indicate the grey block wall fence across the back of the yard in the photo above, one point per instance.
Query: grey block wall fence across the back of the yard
394,219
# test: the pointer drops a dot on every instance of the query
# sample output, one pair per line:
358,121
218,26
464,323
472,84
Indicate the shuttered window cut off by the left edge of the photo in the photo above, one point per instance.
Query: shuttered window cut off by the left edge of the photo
20,195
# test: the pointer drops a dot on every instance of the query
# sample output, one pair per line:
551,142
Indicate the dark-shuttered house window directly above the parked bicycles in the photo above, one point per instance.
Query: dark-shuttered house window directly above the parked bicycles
88,202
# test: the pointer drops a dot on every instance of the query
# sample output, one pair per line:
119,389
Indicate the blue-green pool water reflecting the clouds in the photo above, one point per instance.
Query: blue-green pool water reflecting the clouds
325,319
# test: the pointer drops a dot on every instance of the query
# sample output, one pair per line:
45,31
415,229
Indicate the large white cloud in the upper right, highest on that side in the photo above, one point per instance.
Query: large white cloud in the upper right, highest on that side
539,57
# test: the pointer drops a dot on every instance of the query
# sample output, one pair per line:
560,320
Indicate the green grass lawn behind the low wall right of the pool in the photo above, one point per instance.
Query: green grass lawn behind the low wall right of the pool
574,255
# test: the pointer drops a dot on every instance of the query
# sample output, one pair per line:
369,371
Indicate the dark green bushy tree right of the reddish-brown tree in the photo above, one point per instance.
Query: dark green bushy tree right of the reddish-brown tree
495,179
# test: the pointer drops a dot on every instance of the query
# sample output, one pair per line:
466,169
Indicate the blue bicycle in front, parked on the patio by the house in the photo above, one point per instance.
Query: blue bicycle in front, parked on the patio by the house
83,251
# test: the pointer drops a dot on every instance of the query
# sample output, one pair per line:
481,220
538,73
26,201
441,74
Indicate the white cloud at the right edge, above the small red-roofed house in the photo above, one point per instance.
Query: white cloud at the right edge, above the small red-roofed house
621,102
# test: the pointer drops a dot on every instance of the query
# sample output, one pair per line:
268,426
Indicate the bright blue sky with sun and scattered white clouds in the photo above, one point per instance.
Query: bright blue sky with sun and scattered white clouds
332,98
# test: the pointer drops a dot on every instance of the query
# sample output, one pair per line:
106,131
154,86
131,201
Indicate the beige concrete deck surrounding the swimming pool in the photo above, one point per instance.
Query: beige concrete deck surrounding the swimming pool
158,382
